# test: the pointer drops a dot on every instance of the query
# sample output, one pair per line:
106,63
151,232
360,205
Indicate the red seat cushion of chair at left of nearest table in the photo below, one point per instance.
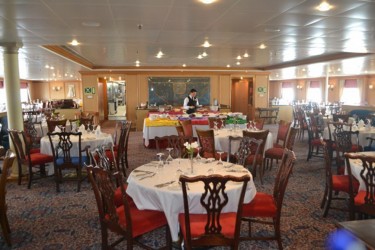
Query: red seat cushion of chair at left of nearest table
143,221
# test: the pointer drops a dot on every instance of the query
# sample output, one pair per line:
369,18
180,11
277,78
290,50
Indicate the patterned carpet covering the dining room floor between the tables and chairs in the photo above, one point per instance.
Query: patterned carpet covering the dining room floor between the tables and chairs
42,219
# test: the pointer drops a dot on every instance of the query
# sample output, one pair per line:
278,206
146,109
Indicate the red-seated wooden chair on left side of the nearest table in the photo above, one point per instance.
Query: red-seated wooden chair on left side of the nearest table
125,220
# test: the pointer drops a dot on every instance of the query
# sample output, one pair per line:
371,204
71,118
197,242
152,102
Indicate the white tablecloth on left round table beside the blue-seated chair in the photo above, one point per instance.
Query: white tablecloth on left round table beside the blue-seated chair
89,139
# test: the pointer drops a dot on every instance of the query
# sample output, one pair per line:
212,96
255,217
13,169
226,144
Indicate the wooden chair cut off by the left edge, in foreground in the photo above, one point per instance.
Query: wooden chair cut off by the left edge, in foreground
7,165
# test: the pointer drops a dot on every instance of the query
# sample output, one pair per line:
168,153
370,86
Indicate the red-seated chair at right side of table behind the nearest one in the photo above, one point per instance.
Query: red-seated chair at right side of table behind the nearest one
277,152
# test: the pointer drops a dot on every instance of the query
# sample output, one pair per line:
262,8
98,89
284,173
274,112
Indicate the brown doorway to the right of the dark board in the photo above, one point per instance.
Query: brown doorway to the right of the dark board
242,96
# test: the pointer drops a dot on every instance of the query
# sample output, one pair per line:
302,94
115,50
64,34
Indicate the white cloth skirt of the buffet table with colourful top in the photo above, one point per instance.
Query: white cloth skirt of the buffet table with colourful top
150,133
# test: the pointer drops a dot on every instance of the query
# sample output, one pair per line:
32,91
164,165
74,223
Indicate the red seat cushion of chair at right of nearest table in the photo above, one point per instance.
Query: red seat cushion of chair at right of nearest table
263,205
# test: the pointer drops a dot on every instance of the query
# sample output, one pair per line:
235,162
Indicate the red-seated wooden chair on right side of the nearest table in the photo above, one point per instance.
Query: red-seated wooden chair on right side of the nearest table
268,206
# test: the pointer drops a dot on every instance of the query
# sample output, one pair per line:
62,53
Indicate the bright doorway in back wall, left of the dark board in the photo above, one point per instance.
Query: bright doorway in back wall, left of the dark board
116,100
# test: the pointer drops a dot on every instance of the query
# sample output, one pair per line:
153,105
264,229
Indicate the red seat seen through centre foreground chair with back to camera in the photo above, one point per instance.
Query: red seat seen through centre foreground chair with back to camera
198,222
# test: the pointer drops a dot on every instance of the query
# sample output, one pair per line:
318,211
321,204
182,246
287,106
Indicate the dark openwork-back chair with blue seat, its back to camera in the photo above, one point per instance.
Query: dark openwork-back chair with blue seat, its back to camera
66,159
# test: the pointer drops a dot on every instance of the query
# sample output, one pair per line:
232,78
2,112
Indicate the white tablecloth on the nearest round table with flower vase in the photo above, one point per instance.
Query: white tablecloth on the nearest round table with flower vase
170,200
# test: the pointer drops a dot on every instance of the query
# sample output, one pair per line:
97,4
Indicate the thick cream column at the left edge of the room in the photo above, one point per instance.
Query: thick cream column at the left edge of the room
12,90
